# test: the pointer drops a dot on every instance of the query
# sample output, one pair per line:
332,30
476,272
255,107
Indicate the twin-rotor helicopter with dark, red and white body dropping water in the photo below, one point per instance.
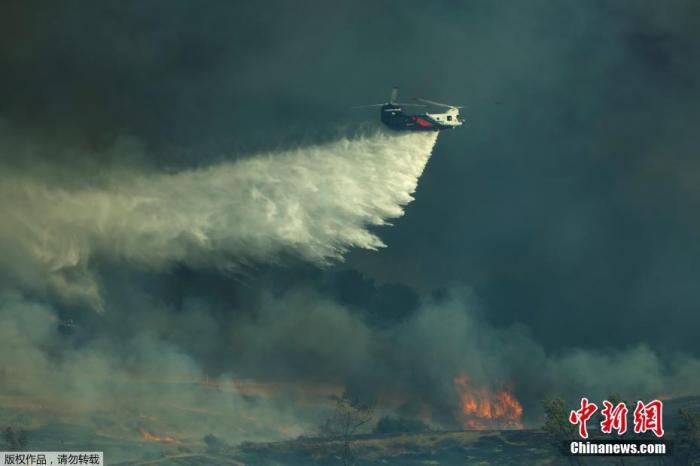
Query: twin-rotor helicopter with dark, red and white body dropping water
393,116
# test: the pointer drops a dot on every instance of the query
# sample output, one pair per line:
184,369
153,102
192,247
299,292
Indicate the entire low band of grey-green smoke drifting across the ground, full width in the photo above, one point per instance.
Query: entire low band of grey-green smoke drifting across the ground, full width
284,358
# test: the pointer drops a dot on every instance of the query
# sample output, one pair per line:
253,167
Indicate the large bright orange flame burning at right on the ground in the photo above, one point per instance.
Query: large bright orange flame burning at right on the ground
484,408
